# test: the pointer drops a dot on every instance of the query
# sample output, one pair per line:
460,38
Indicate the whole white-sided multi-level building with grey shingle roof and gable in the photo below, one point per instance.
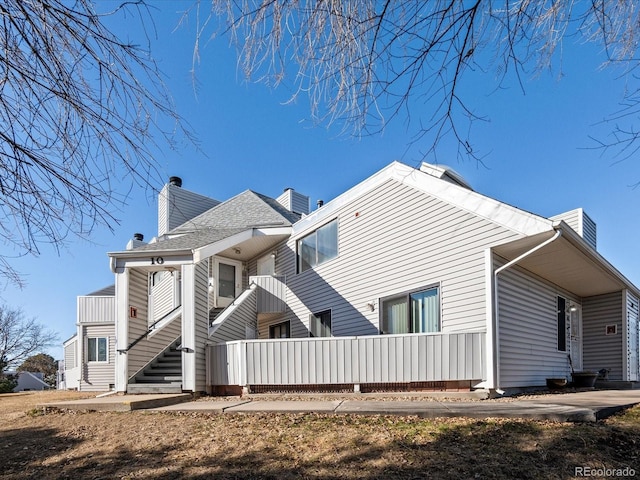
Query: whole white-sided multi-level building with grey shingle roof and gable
409,279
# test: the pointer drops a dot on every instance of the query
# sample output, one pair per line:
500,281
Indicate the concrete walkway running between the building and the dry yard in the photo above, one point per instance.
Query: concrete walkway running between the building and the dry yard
587,406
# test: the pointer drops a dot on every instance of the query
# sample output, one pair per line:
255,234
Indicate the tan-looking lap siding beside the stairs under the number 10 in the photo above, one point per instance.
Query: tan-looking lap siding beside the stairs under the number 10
143,352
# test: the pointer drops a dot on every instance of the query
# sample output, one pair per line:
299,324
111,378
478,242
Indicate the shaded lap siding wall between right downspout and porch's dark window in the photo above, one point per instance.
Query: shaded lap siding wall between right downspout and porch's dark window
528,331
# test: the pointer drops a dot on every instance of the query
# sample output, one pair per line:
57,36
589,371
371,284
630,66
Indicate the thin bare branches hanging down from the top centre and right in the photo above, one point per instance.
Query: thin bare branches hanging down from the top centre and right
363,63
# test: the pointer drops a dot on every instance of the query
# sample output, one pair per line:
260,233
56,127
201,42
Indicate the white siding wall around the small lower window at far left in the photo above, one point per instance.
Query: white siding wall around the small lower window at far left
98,376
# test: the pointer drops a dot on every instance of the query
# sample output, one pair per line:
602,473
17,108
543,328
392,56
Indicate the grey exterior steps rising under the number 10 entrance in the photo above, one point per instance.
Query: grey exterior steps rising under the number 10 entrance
162,375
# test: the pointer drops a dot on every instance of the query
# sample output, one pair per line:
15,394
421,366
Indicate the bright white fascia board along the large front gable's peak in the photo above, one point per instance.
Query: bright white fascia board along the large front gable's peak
495,211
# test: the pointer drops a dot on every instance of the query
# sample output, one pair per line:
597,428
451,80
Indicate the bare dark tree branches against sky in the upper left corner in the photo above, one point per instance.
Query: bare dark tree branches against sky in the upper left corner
80,111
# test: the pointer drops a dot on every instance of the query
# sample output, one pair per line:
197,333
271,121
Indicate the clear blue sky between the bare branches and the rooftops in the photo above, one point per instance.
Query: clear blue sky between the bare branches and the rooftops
534,146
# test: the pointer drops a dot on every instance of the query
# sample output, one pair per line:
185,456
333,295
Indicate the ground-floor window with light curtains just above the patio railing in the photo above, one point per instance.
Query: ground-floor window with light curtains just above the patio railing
414,312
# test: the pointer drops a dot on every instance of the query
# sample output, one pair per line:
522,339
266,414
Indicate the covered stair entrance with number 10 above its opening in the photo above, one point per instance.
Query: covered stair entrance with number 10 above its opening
165,297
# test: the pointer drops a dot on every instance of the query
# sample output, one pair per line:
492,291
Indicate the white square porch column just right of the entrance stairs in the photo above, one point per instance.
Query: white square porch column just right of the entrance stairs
188,328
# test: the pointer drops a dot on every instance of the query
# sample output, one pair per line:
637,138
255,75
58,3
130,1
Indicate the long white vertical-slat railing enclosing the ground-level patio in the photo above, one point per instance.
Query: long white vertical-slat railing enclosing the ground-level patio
348,360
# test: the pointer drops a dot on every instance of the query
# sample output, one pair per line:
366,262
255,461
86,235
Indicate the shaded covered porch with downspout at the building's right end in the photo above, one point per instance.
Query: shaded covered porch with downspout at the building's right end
559,307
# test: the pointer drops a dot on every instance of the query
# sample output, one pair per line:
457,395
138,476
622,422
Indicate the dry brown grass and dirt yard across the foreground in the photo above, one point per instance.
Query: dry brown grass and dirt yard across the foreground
146,445
